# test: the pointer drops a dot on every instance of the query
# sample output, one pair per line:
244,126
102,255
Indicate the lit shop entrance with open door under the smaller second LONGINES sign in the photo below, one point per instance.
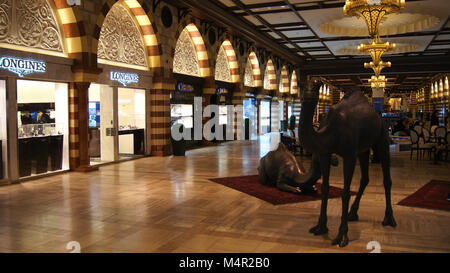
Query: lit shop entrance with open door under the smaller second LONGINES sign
117,123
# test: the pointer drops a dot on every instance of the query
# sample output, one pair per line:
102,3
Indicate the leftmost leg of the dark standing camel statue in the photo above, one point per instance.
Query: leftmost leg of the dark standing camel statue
321,227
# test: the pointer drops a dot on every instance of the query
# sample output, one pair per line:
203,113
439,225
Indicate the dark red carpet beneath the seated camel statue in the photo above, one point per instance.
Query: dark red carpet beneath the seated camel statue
251,186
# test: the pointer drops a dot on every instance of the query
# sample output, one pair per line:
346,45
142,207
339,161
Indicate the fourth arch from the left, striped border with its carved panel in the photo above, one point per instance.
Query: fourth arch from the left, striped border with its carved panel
226,64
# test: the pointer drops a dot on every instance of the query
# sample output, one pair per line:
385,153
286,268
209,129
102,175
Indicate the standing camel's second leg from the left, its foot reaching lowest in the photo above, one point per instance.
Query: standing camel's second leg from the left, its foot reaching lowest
349,167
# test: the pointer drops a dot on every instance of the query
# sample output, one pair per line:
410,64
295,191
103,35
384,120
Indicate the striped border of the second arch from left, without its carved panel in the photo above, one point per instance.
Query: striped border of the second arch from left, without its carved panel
149,36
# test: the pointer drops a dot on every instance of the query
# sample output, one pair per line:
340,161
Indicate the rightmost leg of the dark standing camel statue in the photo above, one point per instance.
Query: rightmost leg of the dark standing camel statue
385,164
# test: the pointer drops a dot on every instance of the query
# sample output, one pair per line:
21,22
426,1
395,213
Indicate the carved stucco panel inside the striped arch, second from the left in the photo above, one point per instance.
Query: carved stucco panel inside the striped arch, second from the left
120,39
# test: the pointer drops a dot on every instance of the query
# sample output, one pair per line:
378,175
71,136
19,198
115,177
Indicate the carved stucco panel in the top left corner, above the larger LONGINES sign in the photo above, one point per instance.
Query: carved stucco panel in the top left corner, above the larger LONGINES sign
29,23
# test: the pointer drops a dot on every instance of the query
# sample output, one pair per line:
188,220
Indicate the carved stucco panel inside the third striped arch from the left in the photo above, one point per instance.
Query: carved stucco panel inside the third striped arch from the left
185,59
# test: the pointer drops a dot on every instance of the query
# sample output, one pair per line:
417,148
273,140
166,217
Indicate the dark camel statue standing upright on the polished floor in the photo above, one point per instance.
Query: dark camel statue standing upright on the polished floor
350,129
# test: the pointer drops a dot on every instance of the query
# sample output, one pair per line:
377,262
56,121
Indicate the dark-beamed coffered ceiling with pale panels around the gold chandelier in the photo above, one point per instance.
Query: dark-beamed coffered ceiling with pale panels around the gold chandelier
324,40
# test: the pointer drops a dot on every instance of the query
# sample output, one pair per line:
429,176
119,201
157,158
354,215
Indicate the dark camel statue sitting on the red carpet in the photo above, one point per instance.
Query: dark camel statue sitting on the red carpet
279,168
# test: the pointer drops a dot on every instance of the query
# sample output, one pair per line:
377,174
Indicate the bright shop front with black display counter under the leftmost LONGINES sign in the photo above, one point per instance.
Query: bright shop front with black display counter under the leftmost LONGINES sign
43,127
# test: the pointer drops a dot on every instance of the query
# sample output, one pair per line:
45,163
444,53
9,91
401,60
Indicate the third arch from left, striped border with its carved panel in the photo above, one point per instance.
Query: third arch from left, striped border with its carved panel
190,43
